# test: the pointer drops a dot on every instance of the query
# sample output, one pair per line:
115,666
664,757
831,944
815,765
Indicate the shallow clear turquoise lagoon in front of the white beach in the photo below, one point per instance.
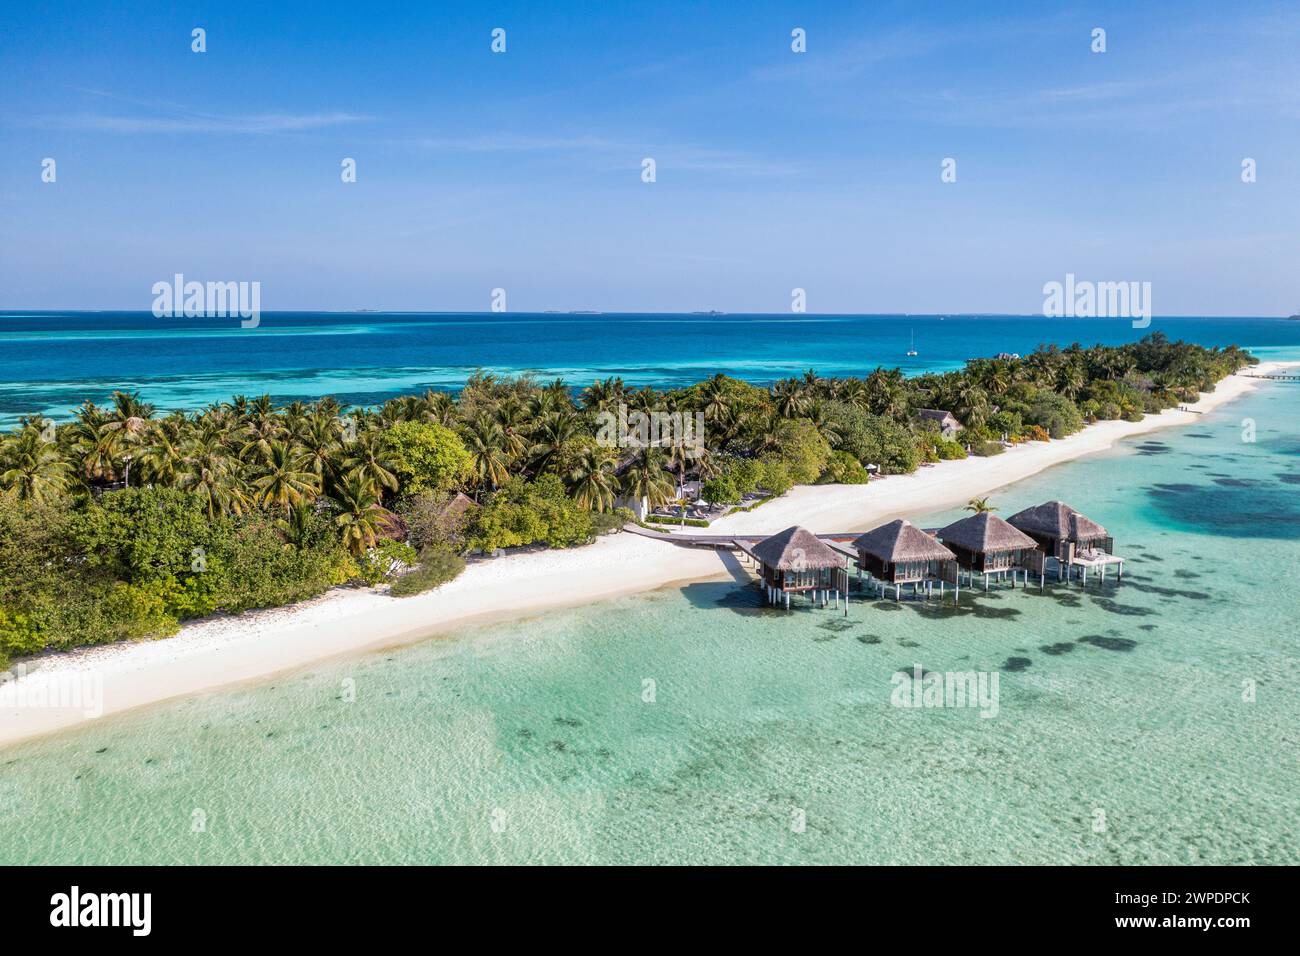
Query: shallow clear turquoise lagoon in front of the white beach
532,742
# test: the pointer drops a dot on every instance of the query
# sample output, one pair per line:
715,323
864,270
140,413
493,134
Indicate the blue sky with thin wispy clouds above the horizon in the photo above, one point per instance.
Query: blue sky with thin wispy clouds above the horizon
775,170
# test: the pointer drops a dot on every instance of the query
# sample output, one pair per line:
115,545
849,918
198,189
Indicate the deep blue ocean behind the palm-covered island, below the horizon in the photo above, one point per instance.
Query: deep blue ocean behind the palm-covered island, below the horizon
50,362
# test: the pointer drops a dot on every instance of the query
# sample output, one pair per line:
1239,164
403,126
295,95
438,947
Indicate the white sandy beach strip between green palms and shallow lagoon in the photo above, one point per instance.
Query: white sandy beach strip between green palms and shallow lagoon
227,651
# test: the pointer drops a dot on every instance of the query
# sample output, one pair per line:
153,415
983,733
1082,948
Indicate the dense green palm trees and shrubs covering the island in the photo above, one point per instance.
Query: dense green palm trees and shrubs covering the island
123,522
